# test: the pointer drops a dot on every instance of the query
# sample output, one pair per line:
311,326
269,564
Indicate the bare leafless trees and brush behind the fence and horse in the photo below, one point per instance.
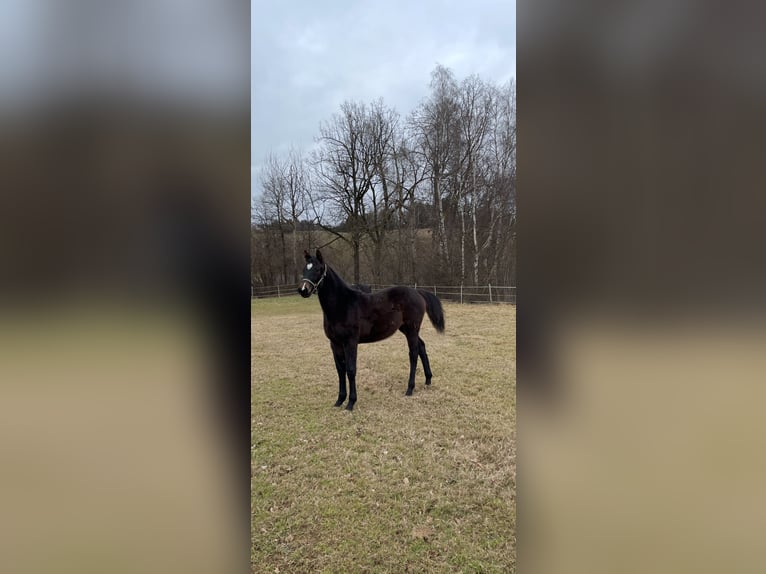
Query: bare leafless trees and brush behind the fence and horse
428,198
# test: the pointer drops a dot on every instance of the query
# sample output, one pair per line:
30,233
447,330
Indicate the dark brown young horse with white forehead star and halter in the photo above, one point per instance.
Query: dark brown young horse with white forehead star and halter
352,317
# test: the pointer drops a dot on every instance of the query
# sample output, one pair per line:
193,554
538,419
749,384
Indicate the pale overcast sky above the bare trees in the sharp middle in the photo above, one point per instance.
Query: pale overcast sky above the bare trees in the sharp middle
308,57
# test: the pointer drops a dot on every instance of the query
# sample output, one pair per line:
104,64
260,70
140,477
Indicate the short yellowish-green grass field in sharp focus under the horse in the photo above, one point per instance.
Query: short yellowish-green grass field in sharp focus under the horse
401,484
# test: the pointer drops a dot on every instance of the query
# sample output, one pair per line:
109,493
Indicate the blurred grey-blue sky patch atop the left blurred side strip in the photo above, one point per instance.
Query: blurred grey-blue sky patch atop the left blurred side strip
193,51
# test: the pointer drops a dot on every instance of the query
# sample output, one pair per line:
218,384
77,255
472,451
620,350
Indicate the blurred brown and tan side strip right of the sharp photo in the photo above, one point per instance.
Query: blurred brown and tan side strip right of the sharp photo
641,286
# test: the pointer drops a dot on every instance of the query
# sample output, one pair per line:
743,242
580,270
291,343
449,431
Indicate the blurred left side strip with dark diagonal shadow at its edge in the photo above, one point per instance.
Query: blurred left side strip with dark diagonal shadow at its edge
124,242
